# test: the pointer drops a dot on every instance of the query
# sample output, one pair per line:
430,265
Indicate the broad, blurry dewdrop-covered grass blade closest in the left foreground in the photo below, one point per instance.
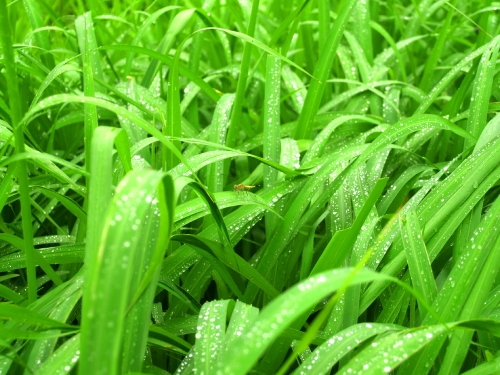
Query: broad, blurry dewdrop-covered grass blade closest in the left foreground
132,217
